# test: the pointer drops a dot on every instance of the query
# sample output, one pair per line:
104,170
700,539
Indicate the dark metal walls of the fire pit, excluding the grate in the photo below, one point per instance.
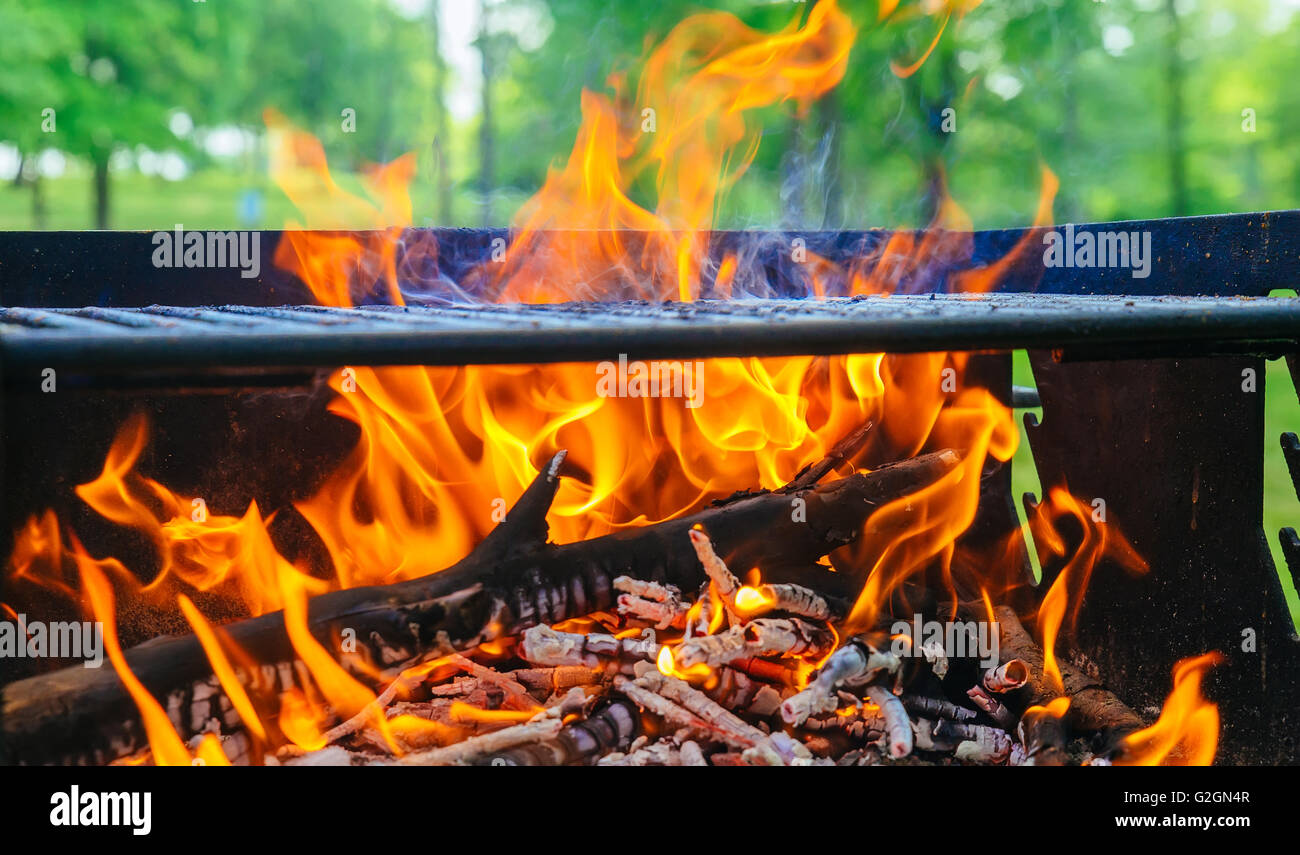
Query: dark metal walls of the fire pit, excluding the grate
1175,446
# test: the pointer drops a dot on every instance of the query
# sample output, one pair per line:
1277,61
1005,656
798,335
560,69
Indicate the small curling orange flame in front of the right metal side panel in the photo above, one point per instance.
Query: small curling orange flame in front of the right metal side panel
1100,540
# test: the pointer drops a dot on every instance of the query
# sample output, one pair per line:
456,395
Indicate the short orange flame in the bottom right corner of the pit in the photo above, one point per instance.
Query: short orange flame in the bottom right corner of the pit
1189,726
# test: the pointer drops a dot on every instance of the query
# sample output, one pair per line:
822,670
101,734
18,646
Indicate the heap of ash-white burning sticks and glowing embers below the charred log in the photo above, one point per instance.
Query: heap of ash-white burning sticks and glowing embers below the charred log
753,676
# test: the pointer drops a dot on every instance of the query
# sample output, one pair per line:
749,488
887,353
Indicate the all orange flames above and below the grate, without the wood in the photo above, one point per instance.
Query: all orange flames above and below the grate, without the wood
443,450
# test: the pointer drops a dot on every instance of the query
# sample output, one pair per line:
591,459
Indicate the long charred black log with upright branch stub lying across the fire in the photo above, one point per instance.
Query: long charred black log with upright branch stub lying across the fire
512,581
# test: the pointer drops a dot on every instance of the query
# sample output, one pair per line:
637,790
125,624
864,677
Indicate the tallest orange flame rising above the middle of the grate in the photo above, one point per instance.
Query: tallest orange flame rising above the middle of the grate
691,131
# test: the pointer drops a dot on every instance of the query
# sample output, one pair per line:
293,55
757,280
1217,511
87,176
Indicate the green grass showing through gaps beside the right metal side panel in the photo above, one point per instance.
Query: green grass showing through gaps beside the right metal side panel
1281,506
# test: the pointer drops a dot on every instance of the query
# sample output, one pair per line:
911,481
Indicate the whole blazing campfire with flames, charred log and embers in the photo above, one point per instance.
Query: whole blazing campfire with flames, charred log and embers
707,559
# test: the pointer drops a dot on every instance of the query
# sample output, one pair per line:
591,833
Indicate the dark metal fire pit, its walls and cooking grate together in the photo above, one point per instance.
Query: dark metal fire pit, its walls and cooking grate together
1141,383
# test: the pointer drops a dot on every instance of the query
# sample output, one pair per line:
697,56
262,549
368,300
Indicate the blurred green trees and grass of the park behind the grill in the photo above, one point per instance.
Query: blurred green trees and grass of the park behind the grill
149,114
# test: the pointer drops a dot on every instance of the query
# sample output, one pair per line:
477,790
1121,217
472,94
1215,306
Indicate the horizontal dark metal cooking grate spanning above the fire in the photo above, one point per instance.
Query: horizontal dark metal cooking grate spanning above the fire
102,340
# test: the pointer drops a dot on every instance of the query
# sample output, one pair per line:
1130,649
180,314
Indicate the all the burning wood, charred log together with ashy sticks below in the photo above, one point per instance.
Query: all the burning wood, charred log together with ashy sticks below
635,649
